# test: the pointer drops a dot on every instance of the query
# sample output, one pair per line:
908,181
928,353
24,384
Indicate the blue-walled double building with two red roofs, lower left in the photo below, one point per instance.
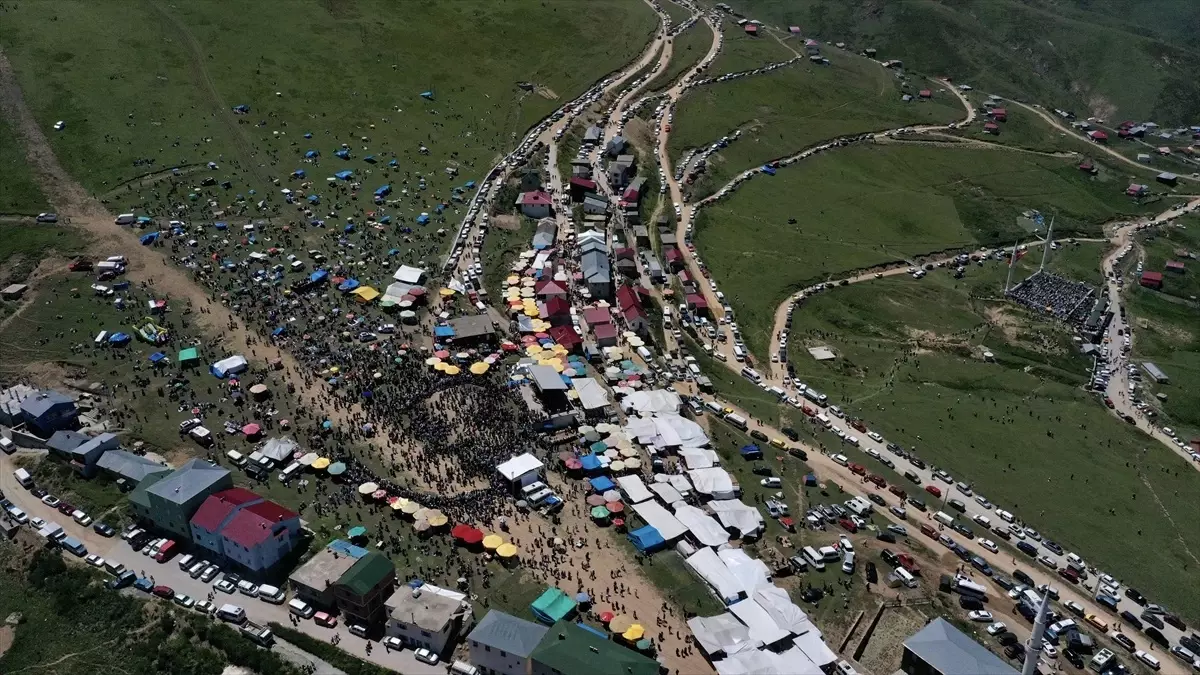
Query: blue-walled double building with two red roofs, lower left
244,529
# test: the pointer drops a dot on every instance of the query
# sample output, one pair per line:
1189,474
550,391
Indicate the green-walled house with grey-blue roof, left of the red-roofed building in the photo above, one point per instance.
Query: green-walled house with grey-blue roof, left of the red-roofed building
173,500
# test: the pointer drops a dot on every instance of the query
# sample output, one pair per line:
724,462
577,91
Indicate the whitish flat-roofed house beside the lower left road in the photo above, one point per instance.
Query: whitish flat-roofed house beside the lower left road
428,617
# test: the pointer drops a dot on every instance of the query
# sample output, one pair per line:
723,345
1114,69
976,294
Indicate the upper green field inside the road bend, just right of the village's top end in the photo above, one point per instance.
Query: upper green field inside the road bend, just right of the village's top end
788,110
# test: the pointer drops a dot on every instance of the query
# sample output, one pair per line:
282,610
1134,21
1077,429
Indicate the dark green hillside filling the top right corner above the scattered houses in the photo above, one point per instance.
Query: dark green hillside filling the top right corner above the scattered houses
1046,51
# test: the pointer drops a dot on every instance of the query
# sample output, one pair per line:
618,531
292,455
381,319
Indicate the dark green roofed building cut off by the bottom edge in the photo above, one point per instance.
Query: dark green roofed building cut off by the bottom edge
568,649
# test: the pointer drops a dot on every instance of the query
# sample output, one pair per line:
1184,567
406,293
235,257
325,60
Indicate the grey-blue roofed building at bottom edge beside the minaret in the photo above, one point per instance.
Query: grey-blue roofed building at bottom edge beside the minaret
941,649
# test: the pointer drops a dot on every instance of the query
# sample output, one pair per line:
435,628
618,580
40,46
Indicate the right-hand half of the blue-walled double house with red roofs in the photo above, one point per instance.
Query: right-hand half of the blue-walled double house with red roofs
259,536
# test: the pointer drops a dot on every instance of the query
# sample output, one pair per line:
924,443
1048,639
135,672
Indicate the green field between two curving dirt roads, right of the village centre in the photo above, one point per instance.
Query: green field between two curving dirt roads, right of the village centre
875,205
